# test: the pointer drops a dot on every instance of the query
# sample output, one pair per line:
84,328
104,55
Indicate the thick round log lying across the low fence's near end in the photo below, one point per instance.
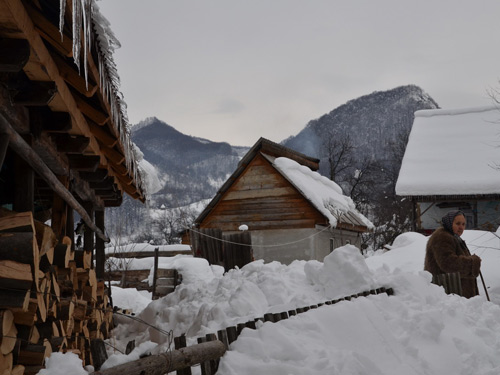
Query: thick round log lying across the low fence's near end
172,361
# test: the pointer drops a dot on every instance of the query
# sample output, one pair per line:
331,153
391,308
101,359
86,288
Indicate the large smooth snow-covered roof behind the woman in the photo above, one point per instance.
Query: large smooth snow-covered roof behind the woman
452,153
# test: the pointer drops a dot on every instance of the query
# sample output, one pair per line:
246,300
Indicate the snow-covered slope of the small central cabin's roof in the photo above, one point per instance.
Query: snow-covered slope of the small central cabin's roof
324,194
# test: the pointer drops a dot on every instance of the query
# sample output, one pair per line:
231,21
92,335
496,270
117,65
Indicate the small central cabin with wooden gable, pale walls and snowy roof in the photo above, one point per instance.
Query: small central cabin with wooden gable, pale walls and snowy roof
290,210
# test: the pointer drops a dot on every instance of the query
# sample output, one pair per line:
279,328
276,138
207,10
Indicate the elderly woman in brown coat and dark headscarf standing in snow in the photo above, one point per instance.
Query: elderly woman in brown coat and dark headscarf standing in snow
446,252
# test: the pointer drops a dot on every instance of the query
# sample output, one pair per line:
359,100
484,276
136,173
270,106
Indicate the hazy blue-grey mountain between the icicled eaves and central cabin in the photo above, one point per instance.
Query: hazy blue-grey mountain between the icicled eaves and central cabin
190,168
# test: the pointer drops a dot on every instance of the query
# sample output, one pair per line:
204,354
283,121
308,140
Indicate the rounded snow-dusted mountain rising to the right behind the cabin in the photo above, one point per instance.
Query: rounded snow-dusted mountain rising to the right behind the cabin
374,123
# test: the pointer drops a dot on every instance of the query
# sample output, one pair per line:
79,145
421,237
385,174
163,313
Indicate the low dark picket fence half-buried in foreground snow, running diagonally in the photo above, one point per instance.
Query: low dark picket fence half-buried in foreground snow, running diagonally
230,334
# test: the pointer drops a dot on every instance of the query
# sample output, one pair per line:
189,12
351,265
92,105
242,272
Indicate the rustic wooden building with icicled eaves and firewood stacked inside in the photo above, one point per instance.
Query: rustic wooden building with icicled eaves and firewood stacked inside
64,151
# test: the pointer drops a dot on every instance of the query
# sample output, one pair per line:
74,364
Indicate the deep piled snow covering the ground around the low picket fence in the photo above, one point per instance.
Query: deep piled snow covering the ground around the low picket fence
418,330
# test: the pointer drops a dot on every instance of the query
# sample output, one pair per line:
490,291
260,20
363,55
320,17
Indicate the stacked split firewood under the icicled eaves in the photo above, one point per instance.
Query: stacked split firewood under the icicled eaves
50,299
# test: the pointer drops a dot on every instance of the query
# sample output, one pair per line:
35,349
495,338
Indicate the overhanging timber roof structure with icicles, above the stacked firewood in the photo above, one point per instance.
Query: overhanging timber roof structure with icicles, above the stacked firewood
64,138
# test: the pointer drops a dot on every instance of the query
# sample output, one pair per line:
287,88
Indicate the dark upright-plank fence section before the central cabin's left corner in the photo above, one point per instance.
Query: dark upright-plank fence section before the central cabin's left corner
227,250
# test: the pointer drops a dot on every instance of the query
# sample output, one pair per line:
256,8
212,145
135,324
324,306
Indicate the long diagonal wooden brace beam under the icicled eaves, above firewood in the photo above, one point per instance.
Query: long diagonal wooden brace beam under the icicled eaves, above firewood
20,146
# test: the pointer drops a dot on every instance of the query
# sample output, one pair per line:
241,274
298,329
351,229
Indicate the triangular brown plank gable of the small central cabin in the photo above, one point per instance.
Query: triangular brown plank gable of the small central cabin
261,198
